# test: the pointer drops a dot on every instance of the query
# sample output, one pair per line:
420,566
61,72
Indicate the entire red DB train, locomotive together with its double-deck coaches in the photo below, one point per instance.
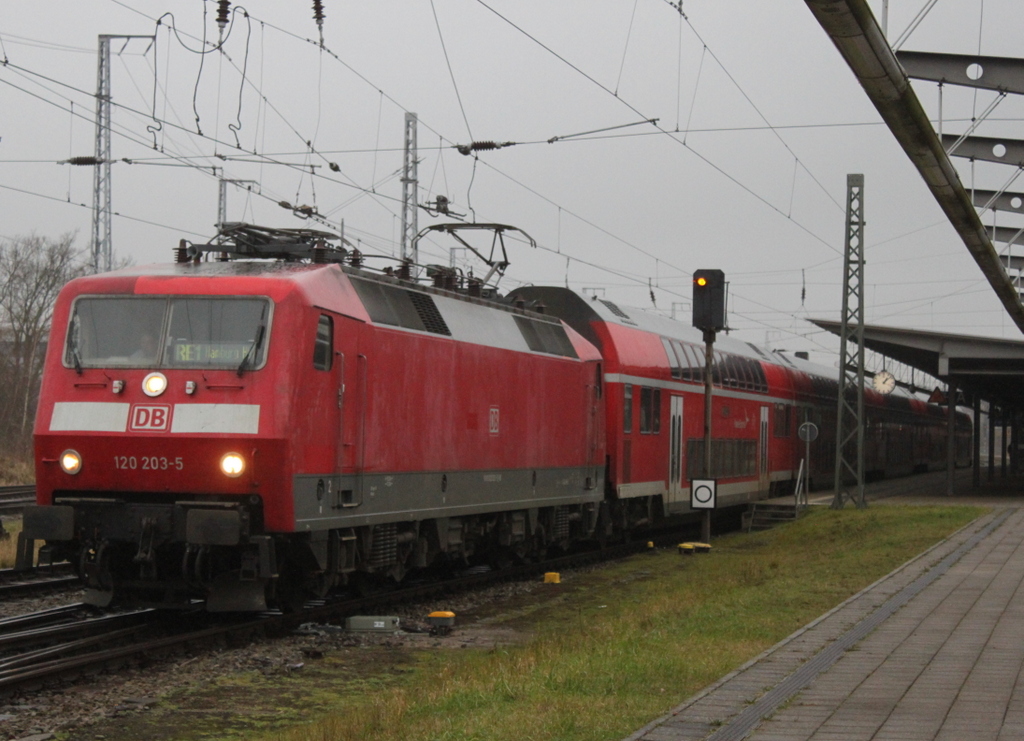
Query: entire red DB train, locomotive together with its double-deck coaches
260,428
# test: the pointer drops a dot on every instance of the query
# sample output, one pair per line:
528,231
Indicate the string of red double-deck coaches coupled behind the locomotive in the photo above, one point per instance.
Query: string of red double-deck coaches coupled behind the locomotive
655,373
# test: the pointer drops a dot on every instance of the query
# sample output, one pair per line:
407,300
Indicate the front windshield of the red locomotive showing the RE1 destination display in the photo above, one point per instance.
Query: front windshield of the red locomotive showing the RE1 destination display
168,332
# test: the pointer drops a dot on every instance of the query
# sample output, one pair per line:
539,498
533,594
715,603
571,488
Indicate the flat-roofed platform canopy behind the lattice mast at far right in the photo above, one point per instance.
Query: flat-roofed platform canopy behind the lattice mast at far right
989,368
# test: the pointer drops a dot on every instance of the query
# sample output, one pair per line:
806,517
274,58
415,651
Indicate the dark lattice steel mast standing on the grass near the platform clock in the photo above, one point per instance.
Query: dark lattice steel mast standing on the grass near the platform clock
850,406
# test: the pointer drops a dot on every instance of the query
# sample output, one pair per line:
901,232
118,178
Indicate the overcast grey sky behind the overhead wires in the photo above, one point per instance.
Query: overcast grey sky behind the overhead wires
759,123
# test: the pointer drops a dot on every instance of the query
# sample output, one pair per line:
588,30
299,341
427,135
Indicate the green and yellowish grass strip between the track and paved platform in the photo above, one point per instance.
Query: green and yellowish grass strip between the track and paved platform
635,639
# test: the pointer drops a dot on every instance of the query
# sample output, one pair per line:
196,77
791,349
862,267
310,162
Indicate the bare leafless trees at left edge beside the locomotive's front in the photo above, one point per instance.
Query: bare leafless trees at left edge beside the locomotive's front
33,270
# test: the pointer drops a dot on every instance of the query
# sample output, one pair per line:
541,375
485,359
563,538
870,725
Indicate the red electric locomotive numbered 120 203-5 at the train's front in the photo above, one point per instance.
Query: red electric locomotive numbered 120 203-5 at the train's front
255,433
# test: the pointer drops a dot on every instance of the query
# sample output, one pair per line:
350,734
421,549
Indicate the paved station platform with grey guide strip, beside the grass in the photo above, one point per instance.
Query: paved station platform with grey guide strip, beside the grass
934,650
